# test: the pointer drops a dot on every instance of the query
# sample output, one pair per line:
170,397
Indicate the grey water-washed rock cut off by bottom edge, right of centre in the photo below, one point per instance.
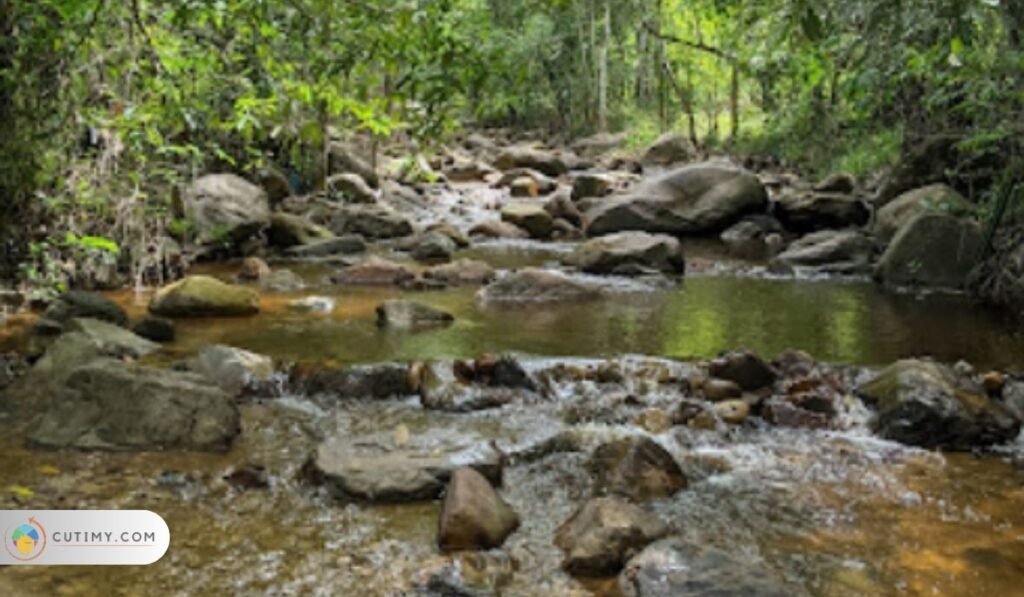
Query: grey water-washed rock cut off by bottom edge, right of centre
675,568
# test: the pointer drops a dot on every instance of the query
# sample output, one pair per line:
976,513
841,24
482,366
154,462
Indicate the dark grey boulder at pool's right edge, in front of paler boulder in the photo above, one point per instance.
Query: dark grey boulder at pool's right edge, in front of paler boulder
934,250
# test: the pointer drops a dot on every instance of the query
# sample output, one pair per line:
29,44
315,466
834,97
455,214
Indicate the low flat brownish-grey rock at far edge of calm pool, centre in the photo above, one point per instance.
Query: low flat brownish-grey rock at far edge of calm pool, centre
538,286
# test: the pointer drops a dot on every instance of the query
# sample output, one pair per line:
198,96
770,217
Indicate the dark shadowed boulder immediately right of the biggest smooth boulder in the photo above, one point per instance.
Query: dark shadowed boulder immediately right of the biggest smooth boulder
812,211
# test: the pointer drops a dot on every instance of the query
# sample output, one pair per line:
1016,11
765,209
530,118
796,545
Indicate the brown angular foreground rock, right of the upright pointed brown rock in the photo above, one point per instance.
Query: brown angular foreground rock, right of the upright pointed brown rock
604,535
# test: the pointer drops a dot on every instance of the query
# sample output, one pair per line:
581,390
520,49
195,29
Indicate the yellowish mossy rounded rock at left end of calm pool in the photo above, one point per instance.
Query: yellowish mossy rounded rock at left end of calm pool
199,296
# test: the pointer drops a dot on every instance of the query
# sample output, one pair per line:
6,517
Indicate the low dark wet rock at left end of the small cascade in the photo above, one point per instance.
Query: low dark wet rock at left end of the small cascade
363,382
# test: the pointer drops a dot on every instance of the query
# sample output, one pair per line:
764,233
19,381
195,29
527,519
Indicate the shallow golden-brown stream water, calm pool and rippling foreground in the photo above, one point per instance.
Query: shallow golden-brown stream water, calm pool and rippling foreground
832,514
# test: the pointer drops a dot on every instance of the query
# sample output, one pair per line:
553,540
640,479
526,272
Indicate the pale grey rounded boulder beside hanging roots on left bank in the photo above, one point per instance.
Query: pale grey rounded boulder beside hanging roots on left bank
225,208
